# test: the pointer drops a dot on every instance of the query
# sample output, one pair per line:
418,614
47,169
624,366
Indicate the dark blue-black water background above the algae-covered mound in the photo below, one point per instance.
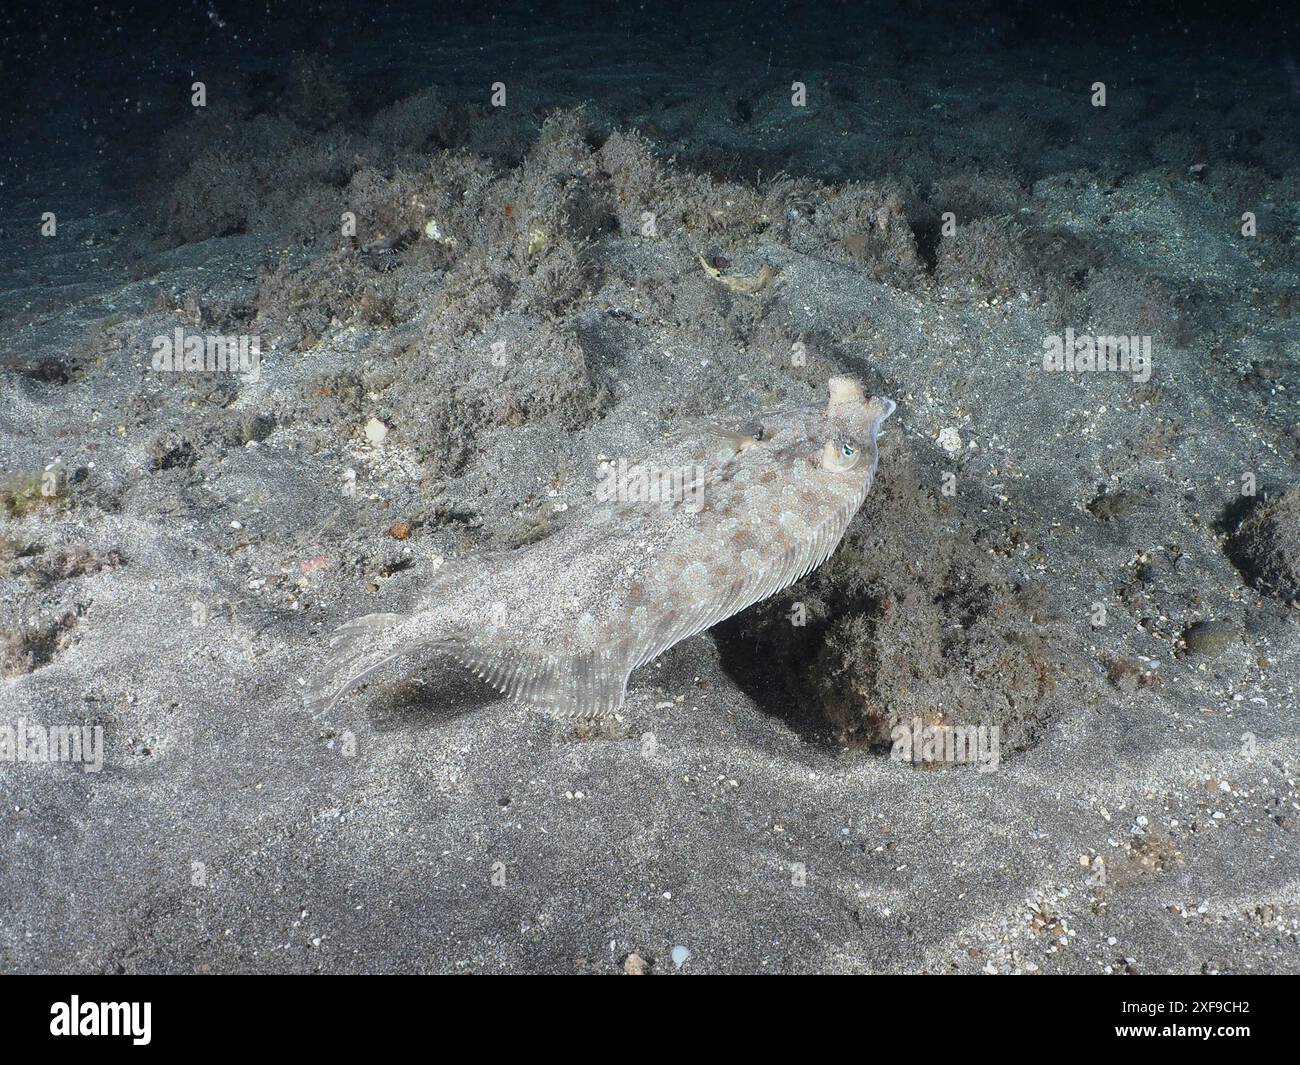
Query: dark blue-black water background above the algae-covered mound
79,80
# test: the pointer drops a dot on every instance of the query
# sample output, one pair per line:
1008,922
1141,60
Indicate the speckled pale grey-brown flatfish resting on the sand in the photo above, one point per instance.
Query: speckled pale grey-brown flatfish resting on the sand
562,624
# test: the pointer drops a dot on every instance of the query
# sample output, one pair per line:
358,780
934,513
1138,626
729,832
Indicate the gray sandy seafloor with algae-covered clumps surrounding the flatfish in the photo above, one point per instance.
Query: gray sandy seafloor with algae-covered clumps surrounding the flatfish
1143,816
